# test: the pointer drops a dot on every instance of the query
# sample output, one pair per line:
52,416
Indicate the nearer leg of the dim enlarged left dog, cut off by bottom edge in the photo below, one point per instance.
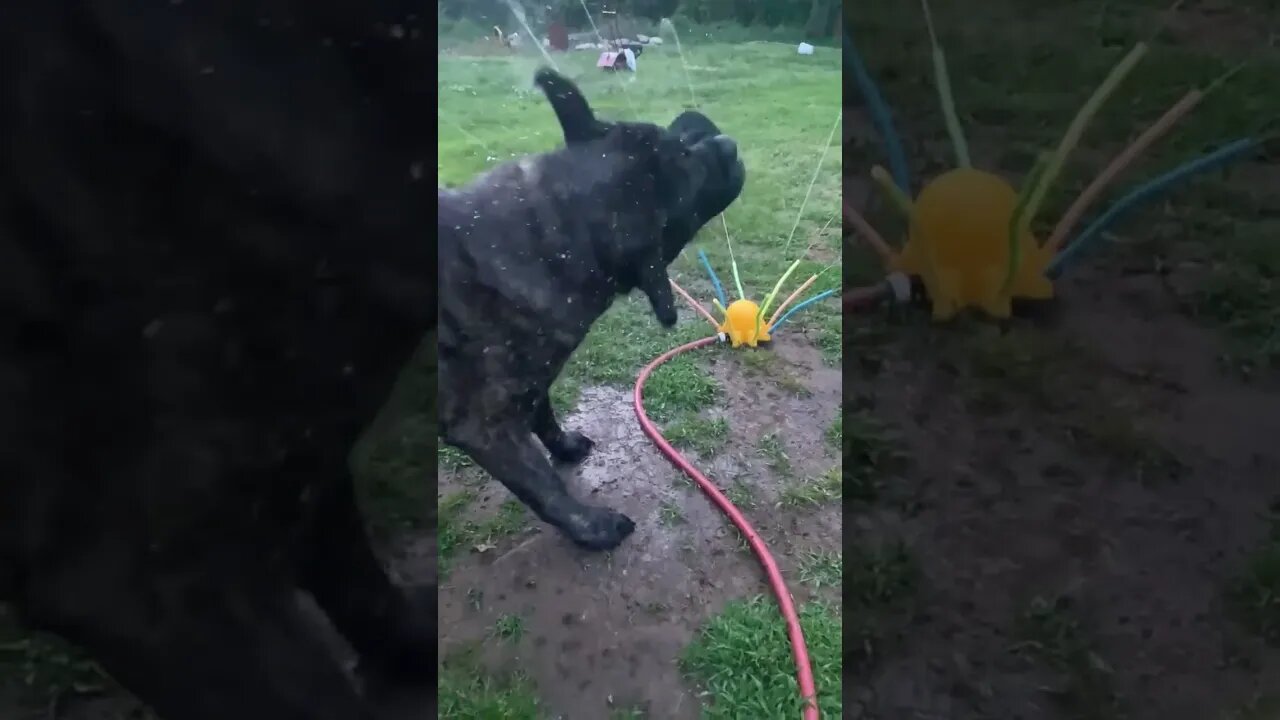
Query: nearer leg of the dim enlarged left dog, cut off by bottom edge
205,646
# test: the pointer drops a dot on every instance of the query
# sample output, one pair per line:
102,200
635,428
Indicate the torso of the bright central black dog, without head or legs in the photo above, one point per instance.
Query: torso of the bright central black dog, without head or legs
529,257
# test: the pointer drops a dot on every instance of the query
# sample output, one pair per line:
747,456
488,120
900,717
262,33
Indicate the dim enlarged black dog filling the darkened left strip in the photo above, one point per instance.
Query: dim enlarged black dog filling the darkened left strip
214,263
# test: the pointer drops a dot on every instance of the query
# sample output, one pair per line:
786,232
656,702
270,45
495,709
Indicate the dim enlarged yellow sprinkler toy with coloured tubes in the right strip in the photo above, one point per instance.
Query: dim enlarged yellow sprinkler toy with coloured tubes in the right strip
970,235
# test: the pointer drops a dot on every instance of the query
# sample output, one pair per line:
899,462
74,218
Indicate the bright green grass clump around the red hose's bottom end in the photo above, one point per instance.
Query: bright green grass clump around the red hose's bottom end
743,660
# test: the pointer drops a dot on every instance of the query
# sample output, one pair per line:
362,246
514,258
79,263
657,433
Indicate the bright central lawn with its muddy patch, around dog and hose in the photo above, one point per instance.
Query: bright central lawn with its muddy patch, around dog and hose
673,623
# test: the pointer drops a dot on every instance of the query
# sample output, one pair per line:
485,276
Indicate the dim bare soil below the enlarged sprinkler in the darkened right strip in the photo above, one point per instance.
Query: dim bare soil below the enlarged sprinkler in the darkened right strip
1081,493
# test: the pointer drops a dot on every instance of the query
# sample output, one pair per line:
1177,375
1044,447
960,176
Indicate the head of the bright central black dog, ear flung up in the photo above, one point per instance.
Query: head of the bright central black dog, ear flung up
696,170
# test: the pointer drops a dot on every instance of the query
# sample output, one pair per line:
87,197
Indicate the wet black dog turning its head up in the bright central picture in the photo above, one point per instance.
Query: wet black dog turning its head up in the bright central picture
531,256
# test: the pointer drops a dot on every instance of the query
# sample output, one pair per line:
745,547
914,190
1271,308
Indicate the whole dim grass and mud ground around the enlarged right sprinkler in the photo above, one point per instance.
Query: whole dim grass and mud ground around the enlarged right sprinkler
1087,498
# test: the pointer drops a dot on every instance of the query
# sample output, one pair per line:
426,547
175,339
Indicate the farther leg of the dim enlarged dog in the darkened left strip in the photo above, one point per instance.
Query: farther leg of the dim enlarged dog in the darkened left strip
392,630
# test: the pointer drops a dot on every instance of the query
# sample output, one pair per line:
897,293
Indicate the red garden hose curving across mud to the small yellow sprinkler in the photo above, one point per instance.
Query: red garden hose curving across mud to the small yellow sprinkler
804,673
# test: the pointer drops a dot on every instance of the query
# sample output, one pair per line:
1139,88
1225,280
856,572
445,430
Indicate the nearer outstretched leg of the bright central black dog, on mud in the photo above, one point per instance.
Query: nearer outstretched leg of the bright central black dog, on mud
508,452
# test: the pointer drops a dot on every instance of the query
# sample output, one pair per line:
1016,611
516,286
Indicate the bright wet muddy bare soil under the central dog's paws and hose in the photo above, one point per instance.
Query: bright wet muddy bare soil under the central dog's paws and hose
605,632
